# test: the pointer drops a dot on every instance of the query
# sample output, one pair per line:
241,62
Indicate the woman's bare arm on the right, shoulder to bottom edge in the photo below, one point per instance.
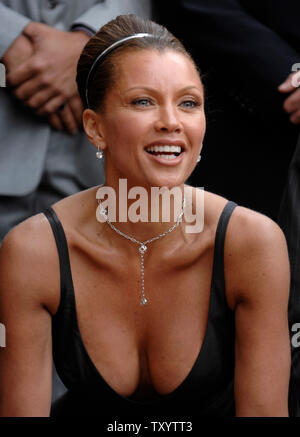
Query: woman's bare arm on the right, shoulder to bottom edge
258,276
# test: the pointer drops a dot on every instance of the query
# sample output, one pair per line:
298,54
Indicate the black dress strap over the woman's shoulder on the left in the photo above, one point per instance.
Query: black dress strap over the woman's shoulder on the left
66,282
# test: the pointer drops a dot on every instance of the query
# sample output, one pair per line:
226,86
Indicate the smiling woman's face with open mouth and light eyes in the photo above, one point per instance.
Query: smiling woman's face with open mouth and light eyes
153,121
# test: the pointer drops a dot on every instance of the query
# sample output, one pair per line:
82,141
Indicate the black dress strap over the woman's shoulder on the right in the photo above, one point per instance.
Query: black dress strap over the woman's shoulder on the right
218,267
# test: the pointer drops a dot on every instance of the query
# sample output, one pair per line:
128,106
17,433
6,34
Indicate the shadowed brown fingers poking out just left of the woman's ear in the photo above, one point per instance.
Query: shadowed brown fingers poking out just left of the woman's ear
69,118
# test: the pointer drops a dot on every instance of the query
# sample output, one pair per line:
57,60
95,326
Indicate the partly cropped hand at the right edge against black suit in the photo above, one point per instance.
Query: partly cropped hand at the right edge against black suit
292,103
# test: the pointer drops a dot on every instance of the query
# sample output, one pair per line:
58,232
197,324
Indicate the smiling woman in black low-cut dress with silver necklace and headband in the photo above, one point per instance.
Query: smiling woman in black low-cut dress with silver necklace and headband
211,338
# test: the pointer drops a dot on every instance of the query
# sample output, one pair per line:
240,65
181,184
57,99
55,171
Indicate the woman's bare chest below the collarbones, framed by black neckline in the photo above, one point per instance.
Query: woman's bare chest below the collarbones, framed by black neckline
142,350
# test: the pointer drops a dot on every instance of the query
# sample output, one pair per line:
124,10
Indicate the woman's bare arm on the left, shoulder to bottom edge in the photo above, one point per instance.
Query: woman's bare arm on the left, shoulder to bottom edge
26,361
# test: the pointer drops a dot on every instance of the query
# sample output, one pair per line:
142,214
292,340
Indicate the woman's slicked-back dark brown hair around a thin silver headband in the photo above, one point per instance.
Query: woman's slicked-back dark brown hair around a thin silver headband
117,29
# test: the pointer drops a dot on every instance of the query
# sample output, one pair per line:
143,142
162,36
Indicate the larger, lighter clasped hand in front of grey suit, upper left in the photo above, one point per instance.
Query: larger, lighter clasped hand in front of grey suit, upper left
46,80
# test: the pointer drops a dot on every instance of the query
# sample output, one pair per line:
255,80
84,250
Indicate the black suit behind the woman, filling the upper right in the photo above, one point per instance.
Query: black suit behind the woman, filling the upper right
245,49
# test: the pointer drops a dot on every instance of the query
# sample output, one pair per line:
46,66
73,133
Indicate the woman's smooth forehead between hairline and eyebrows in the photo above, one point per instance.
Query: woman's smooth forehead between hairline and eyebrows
151,67
